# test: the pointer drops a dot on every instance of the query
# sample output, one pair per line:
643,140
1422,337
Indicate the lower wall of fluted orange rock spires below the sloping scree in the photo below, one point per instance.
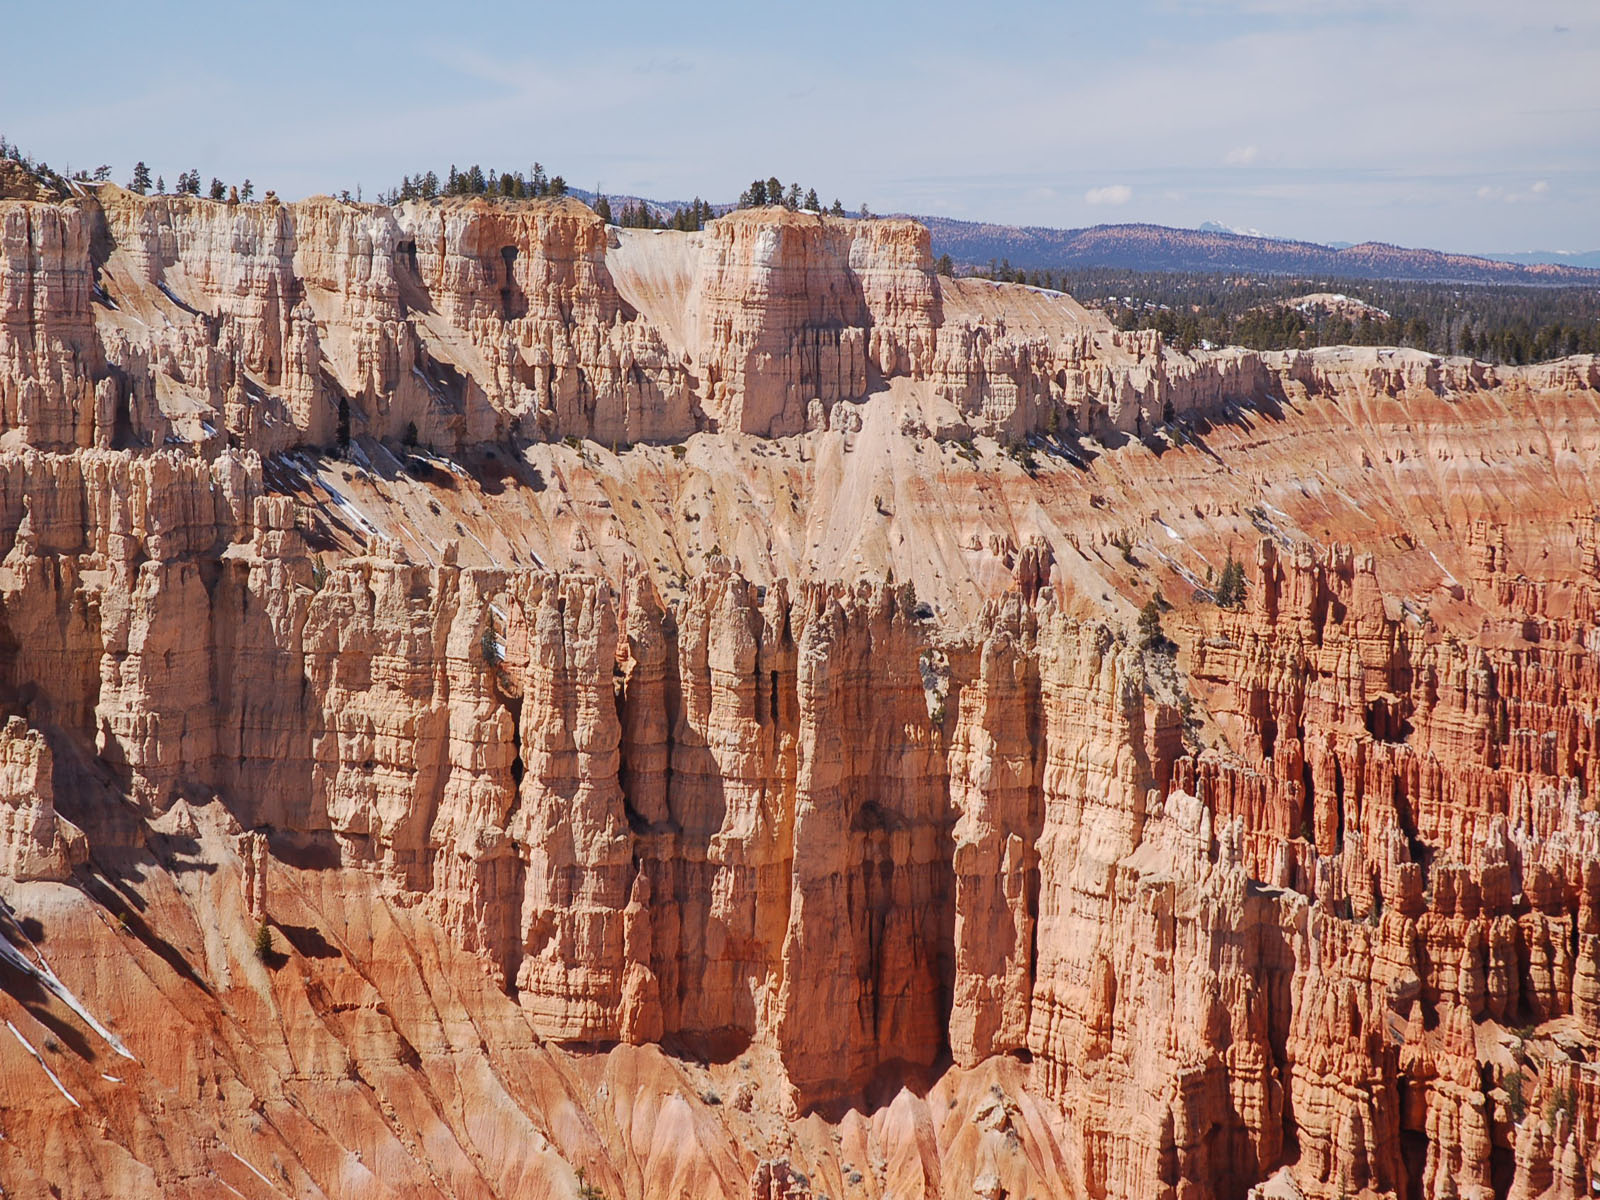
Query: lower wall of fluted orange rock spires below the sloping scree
713,823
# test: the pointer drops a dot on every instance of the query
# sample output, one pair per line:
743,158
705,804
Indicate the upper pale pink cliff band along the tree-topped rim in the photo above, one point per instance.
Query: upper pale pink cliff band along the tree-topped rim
156,321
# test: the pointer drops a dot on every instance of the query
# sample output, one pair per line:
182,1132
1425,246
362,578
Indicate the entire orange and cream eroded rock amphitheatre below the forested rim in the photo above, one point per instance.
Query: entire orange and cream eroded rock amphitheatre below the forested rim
676,702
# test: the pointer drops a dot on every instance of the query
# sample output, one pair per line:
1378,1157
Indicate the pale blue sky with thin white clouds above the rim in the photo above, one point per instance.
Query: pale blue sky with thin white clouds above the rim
1468,126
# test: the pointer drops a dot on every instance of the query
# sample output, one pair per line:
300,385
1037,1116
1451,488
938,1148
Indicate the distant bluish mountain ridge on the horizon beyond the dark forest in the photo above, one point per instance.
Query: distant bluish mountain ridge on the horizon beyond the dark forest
1138,247
